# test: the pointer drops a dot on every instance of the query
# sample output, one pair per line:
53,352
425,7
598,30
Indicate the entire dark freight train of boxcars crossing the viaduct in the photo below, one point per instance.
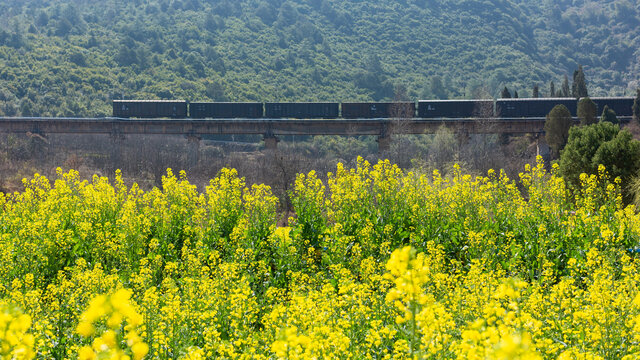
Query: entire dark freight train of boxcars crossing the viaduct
425,109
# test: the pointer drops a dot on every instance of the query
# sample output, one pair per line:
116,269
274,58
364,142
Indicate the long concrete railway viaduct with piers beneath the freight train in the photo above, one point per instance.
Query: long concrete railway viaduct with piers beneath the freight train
271,129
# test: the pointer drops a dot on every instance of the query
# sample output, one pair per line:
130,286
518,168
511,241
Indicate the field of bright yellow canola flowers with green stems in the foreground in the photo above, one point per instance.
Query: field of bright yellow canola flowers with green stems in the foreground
376,263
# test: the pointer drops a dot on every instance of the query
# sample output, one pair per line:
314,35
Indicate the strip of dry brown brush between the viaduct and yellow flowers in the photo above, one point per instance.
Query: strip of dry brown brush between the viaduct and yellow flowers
144,159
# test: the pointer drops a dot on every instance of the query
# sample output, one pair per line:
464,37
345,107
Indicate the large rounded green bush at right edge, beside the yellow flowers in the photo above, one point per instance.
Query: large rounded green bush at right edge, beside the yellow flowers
600,144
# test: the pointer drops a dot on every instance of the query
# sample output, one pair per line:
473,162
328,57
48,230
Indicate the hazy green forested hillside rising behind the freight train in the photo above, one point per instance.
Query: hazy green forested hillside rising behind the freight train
72,57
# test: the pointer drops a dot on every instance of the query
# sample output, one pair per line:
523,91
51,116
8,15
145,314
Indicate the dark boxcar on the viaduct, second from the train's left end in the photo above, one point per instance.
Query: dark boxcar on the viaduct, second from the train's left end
225,110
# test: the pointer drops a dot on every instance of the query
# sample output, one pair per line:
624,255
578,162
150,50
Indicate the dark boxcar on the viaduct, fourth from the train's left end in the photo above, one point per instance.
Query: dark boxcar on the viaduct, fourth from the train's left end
378,110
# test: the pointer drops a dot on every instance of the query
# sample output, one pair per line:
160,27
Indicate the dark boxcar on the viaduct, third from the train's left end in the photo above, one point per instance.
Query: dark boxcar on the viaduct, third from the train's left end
301,110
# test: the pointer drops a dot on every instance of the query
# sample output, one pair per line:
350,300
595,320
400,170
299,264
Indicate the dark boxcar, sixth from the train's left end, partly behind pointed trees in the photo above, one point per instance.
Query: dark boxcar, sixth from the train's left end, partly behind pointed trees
532,107
